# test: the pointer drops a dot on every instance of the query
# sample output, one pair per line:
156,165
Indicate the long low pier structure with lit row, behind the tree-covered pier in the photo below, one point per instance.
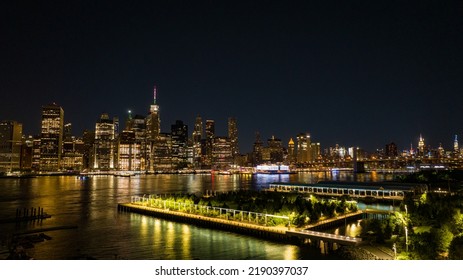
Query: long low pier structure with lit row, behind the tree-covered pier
389,191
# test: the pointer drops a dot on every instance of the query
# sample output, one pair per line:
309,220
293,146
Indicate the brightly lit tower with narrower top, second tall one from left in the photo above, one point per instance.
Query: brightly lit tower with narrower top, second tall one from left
104,145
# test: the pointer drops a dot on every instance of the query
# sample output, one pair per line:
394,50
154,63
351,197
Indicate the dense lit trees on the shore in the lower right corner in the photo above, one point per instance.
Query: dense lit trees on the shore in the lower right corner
429,226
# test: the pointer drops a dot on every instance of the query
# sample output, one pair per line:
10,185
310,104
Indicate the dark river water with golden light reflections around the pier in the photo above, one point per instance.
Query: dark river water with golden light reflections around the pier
104,233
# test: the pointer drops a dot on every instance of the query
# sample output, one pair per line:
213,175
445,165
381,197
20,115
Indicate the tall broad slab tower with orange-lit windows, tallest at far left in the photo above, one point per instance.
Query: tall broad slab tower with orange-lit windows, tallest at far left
51,139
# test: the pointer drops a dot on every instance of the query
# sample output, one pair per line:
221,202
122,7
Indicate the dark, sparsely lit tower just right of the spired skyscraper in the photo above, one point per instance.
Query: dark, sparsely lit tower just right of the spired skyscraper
179,132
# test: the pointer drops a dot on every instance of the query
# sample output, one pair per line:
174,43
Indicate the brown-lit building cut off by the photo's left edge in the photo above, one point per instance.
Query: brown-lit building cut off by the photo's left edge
10,145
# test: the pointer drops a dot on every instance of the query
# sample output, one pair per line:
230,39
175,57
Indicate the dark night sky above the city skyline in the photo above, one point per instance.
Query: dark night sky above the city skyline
355,73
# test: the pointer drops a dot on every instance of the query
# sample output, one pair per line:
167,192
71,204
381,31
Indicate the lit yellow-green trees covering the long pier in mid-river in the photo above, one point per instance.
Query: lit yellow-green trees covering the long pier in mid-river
288,209
